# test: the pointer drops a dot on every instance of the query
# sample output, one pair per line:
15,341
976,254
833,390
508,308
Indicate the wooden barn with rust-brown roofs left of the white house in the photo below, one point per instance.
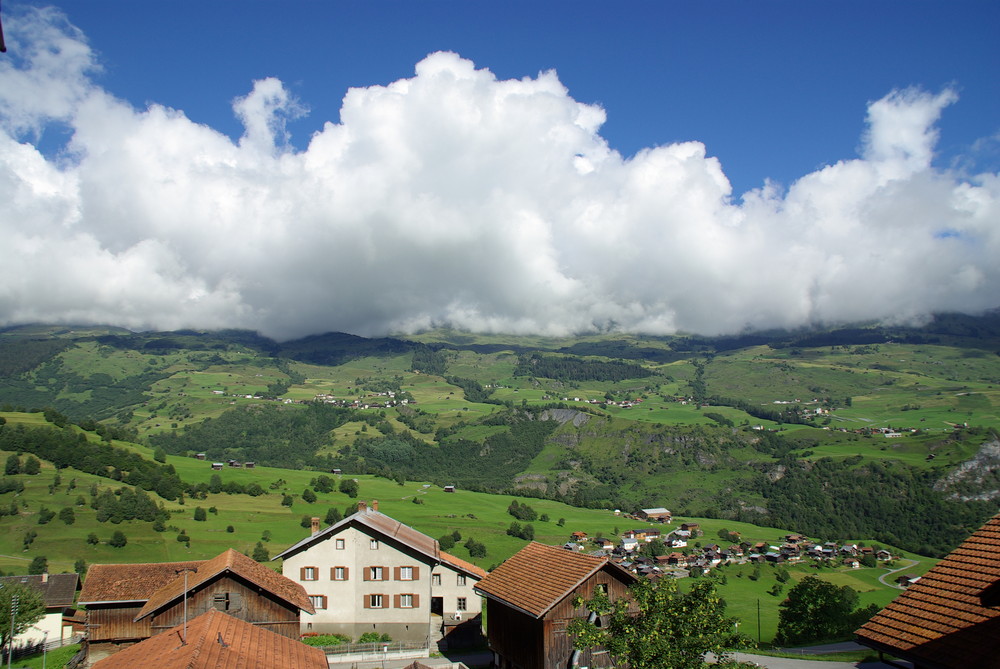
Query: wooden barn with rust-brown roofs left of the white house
127,603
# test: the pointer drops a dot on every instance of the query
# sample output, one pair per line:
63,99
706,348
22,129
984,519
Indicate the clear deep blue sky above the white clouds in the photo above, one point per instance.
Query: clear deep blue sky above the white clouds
774,89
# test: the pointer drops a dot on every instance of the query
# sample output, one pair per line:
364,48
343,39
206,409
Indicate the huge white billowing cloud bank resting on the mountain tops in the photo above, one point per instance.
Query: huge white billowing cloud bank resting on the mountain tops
455,198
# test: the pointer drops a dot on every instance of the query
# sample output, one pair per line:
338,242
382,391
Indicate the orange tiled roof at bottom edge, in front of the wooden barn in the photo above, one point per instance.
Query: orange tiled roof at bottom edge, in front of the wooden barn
217,641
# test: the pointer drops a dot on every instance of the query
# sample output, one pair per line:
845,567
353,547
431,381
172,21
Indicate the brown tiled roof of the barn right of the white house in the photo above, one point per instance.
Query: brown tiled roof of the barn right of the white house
538,577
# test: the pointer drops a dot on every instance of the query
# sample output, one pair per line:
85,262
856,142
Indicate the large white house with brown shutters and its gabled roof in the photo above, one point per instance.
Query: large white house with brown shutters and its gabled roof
371,573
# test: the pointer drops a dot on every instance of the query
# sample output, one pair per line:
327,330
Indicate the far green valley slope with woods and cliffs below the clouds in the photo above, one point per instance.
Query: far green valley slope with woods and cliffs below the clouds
866,431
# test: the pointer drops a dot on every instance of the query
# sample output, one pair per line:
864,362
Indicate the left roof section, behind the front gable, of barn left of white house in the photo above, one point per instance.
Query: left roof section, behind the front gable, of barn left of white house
119,583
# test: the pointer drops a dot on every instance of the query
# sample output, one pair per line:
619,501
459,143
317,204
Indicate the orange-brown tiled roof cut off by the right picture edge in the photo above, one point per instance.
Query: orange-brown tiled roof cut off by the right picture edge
948,618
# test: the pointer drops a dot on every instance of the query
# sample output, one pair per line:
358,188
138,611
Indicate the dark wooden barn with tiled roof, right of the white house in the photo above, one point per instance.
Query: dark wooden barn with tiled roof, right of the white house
529,604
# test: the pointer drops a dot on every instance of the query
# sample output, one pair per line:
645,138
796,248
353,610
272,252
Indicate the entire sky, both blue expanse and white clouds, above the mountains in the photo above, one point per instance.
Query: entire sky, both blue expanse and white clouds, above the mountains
549,168
